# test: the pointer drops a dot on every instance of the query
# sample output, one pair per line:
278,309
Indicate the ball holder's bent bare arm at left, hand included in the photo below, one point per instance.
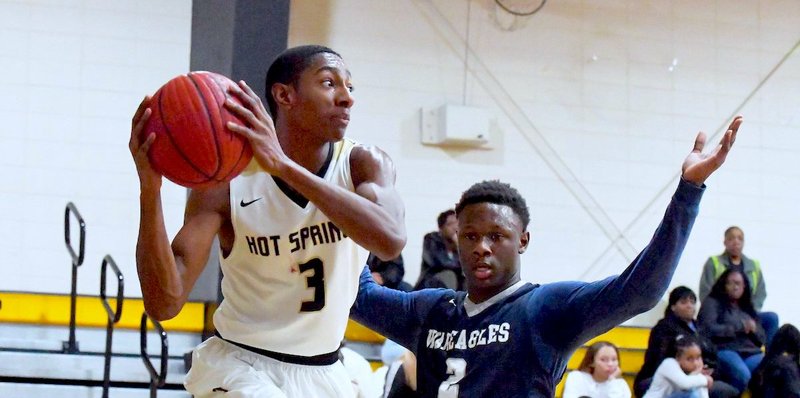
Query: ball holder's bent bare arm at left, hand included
166,277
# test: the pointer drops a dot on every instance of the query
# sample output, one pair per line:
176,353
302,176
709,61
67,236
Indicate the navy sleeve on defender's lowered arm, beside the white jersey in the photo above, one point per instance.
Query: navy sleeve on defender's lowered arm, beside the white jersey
395,314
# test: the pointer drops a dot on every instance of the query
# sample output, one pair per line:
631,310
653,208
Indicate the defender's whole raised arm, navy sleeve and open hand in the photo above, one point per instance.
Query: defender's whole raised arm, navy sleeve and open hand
646,279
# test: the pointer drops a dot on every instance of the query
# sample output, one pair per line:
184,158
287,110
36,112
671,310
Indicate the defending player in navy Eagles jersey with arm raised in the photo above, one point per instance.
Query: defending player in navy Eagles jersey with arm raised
508,338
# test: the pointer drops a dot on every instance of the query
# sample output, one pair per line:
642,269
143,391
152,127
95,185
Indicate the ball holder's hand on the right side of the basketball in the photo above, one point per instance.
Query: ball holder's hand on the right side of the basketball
259,129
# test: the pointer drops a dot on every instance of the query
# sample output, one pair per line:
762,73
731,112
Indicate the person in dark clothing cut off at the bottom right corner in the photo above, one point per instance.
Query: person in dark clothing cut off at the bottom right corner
778,375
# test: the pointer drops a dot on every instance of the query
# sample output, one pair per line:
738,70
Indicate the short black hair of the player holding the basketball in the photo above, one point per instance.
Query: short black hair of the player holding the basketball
287,67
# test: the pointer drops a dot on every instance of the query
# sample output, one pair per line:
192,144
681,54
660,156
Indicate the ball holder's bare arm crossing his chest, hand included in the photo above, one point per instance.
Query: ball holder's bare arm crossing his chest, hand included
373,217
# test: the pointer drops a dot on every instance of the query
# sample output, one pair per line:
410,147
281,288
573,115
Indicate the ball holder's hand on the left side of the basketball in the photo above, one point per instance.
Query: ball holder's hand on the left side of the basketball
139,144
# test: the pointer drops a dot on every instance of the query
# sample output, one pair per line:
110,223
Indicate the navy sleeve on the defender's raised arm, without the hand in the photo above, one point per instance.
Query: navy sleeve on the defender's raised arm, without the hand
578,311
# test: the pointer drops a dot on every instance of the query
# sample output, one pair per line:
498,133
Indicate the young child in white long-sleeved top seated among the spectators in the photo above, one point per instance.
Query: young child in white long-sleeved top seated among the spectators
681,375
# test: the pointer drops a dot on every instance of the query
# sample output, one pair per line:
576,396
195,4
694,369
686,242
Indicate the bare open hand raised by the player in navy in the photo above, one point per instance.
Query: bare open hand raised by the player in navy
698,166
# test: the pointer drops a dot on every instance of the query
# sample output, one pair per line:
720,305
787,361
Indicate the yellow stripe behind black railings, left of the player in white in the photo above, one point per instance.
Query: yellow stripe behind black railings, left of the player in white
52,309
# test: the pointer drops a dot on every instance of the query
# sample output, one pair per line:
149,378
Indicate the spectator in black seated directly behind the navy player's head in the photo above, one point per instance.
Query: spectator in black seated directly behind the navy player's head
440,264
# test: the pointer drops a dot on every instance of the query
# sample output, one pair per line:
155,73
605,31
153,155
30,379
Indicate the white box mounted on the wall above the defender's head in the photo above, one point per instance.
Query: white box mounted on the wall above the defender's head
455,125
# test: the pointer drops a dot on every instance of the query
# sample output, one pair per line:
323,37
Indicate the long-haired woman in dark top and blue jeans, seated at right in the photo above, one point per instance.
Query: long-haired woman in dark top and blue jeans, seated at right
728,318
